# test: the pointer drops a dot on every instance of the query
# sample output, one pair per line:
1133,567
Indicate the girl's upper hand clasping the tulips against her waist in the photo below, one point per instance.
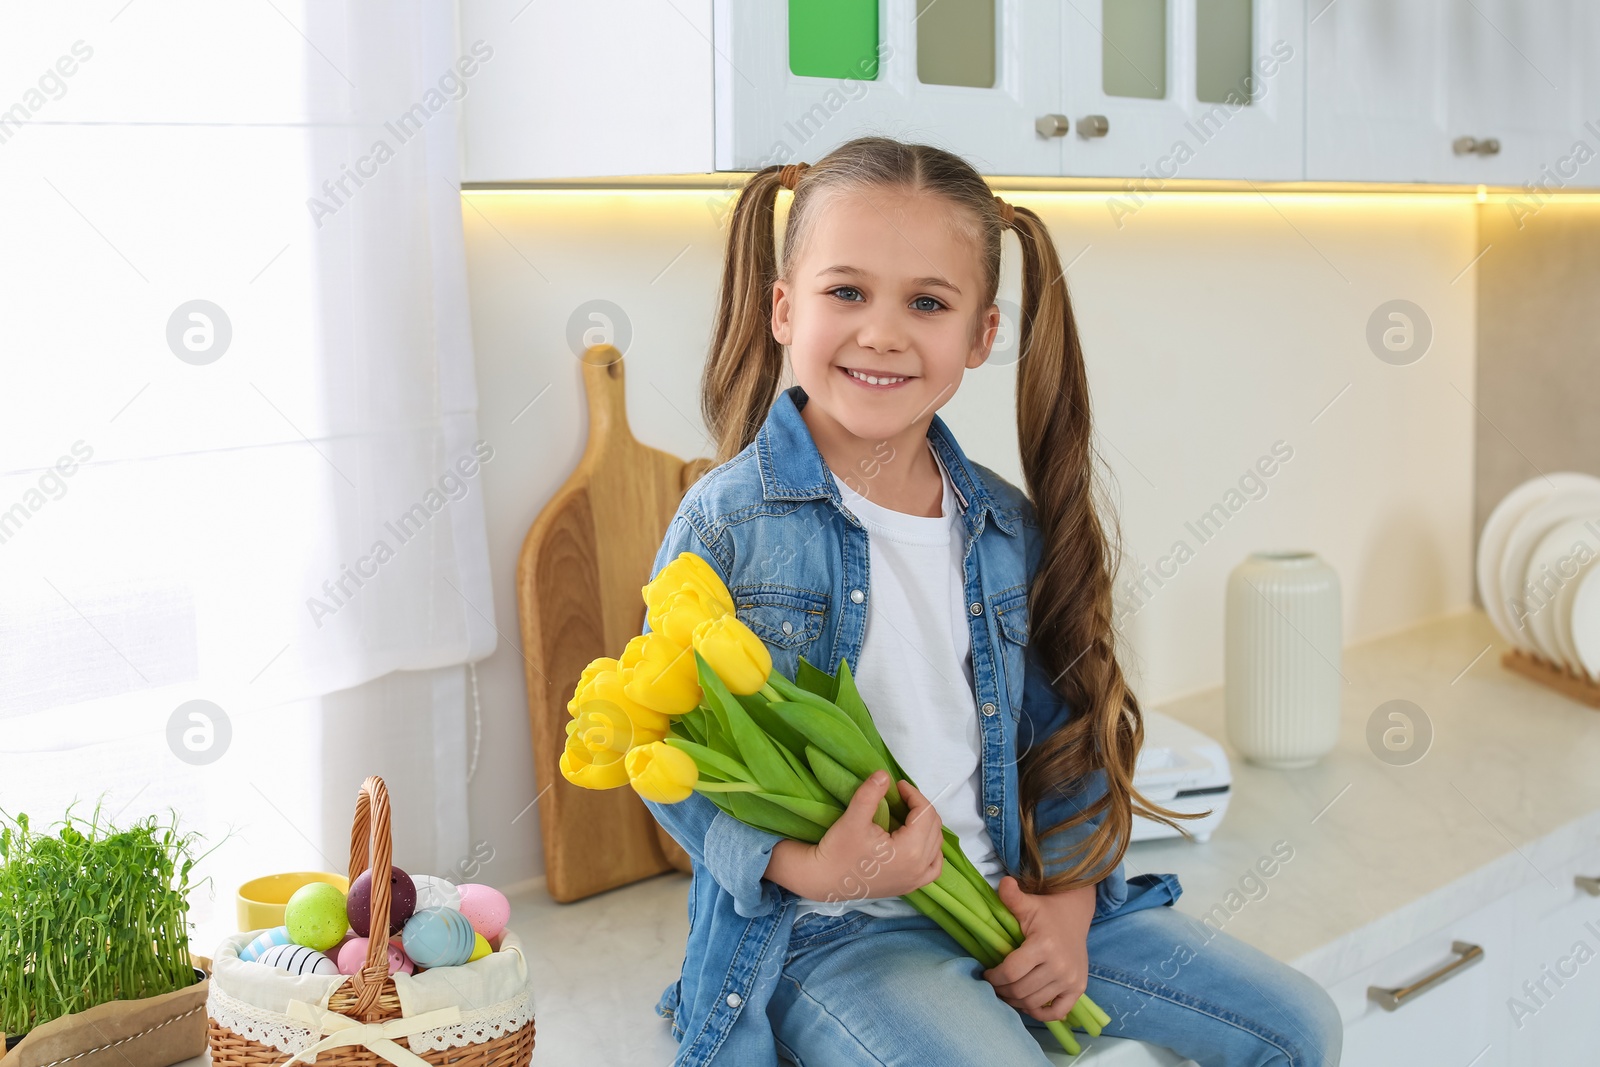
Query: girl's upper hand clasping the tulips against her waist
860,860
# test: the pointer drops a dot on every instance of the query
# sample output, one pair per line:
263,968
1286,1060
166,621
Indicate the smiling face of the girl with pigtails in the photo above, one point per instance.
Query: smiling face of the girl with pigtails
887,287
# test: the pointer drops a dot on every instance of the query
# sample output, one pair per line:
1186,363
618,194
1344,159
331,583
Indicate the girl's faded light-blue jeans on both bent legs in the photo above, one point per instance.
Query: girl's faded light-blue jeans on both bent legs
871,991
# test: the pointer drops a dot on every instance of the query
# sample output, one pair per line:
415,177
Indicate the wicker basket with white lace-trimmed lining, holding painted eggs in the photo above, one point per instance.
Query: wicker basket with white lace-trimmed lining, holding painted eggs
359,1021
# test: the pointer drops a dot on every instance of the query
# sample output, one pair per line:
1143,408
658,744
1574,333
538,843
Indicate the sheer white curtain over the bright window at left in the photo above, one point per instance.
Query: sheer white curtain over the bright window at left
238,426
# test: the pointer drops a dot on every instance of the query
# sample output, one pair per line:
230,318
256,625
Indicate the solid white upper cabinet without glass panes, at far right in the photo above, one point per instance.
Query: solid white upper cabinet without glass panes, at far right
1393,86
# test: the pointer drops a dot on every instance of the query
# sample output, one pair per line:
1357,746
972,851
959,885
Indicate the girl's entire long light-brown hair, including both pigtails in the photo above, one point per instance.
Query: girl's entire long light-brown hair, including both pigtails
1071,594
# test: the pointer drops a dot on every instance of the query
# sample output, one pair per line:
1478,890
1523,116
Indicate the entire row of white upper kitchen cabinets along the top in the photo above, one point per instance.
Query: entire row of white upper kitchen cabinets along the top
1140,90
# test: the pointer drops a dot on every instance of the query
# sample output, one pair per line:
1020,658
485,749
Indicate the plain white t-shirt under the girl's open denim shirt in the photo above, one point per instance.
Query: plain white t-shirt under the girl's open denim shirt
918,674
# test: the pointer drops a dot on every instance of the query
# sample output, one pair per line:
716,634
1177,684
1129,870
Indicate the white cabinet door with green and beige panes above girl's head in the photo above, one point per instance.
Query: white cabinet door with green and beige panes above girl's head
970,76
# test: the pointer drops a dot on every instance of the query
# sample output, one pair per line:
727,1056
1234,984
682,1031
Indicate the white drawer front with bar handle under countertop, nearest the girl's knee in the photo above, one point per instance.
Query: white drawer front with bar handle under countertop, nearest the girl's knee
1460,1021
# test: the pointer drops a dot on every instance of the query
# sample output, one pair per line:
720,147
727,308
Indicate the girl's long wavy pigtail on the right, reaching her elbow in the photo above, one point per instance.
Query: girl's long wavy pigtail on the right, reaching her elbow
1071,625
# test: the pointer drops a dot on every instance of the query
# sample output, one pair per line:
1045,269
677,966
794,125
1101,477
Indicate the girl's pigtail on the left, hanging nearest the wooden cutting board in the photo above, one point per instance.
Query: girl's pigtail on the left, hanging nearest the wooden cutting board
746,362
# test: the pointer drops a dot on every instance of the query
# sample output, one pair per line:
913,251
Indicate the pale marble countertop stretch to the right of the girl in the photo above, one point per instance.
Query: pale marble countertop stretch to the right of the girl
1386,853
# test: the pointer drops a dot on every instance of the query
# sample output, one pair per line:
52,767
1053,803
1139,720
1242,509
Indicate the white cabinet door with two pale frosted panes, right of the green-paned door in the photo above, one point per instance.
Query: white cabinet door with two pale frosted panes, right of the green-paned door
1186,89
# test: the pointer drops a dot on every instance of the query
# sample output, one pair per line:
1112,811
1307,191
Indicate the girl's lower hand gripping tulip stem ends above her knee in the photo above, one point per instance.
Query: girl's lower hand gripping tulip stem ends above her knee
1050,970
